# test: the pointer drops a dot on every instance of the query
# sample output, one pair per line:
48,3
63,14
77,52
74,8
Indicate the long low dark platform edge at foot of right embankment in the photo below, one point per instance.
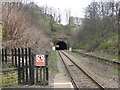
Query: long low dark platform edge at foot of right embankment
115,64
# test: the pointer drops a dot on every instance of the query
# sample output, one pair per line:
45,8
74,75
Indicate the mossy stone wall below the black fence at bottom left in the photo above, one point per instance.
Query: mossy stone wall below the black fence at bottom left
8,77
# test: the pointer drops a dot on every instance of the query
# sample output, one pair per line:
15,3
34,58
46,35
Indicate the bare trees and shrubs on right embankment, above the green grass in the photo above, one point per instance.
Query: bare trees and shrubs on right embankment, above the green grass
100,22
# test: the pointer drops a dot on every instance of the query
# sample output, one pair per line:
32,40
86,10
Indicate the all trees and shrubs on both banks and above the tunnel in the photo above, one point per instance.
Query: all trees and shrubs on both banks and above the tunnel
28,25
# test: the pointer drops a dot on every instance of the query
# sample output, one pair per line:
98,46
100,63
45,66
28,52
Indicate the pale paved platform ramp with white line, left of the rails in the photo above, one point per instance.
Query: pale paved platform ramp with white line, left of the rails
62,79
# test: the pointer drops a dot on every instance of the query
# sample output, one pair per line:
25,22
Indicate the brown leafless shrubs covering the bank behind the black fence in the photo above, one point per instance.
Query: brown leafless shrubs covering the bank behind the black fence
25,25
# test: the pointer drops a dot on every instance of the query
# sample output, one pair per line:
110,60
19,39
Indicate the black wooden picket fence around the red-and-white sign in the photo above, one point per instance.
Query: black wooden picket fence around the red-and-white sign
24,60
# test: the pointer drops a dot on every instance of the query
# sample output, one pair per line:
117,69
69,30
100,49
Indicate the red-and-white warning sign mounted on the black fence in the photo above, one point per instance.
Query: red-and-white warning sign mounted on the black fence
40,60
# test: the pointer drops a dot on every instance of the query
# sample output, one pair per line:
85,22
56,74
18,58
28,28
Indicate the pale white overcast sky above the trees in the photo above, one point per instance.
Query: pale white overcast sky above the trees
77,7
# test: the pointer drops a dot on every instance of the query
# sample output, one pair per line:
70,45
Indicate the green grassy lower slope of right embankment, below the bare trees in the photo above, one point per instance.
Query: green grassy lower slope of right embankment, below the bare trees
107,47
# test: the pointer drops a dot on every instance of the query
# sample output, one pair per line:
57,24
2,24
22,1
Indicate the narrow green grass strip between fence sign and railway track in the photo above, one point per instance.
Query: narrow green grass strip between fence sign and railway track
52,61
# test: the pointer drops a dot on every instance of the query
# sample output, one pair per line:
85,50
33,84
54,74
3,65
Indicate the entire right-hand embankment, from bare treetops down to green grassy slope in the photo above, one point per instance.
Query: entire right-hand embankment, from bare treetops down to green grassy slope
99,29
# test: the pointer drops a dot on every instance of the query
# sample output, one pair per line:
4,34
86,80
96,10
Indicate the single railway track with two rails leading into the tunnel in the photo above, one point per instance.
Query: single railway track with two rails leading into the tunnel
79,77
